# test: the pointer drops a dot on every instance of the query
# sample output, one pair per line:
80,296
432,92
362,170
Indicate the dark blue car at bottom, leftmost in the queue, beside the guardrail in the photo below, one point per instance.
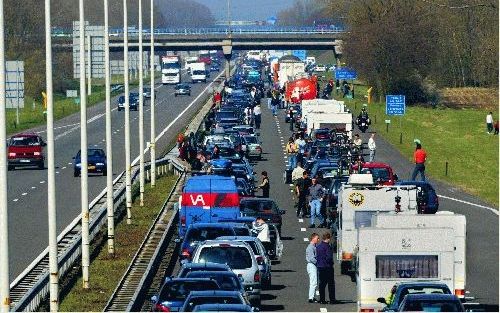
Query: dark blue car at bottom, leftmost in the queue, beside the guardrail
174,291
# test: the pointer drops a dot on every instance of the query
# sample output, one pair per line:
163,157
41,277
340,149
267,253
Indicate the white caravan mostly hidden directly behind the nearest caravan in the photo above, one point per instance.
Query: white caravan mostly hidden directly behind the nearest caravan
455,221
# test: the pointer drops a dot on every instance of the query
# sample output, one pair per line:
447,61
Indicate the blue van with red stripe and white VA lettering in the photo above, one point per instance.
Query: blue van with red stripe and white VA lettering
207,199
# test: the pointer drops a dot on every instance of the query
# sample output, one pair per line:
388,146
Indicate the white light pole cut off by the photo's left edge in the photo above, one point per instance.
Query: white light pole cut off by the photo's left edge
4,230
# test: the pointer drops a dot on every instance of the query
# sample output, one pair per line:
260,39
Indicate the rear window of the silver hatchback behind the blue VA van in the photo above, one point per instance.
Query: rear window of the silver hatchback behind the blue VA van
236,258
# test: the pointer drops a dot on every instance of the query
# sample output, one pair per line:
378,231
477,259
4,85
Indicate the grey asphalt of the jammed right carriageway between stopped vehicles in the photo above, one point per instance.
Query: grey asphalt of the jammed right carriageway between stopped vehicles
289,278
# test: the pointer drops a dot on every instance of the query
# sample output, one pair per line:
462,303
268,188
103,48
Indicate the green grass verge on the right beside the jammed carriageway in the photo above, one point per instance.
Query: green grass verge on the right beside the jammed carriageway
456,136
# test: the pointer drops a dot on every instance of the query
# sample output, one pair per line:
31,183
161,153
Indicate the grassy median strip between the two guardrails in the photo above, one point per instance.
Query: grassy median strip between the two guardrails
106,271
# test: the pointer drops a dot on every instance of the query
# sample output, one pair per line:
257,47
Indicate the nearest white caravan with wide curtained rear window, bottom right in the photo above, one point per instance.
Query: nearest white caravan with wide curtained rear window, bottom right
387,256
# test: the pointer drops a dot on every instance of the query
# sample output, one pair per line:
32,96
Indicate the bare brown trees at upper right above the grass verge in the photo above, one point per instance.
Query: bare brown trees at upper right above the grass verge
413,47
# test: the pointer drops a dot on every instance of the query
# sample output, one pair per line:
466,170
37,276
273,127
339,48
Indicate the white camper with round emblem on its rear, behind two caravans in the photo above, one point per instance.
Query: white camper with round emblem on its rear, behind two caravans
358,201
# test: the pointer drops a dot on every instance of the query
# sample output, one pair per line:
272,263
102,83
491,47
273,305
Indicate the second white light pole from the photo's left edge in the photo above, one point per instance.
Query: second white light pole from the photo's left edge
51,169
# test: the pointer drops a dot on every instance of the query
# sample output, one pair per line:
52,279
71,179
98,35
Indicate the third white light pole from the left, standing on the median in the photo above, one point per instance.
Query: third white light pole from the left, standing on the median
83,155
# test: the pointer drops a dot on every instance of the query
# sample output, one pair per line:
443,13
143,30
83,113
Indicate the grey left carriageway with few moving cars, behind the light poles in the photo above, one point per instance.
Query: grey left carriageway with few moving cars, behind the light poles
27,188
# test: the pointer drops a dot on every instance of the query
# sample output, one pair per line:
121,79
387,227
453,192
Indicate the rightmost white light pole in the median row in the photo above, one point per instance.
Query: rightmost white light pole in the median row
152,149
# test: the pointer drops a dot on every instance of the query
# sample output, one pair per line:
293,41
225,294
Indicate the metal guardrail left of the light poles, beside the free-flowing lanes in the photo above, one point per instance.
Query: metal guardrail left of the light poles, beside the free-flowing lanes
31,287
